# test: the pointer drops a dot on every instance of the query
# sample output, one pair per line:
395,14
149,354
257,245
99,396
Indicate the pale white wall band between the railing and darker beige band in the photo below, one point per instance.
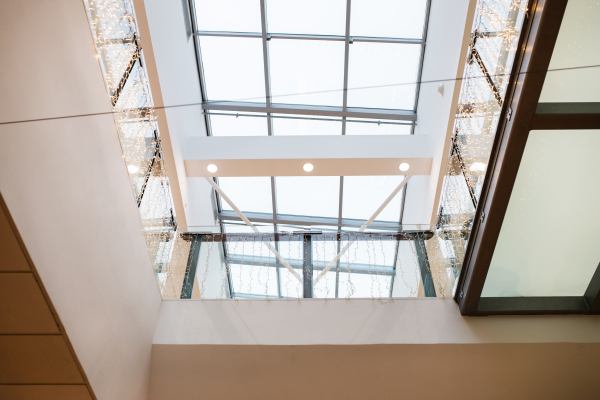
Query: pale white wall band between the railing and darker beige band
351,322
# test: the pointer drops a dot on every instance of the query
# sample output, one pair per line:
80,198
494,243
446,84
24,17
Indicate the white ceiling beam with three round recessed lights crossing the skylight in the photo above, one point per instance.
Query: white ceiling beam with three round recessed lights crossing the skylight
285,155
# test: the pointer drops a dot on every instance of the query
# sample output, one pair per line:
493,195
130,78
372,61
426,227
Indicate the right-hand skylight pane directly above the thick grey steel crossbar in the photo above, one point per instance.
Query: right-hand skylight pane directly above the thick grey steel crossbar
391,68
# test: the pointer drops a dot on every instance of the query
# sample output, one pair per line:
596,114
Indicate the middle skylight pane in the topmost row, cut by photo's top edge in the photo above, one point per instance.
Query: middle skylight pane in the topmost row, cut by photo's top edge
315,17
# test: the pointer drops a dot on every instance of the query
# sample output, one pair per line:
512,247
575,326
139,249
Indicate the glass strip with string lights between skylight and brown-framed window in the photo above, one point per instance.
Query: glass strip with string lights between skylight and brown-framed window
494,38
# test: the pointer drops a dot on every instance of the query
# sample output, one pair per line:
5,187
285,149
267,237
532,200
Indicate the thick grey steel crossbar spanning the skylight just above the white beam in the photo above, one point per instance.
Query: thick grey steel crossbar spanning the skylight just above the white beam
324,111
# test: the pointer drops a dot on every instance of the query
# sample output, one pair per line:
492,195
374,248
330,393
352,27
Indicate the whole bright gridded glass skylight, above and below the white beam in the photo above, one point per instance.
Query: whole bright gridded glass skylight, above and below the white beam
333,62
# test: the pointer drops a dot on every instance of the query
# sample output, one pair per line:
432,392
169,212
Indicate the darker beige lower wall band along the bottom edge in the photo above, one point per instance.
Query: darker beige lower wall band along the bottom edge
444,371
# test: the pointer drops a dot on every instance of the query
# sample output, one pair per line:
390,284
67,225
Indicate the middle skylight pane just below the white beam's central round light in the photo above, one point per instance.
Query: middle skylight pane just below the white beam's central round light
315,196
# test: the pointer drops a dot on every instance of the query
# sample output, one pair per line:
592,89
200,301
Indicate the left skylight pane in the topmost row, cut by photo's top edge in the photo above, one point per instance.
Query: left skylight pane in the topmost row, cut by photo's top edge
228,15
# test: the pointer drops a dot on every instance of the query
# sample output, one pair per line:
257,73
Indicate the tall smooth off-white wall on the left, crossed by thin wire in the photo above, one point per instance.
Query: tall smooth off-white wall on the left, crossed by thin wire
66,186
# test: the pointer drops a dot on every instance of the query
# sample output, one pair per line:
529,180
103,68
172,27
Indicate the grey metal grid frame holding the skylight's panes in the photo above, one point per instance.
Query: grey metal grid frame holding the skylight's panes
269,108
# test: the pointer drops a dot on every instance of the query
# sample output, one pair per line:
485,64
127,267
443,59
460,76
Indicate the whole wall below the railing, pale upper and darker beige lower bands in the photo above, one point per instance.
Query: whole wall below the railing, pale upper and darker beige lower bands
419,348
